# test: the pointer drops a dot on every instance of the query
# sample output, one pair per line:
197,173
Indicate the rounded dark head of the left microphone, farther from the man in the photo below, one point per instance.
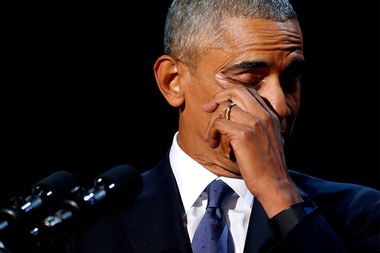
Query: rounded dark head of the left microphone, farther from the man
56,185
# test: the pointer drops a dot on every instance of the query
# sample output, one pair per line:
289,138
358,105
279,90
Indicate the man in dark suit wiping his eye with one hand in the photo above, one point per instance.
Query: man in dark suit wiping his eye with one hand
233,69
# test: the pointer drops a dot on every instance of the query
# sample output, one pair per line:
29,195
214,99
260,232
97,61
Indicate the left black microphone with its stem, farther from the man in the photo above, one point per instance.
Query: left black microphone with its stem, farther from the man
23,209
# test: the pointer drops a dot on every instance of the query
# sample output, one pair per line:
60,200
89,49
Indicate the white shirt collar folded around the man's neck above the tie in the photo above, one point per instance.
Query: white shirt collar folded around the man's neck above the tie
192,178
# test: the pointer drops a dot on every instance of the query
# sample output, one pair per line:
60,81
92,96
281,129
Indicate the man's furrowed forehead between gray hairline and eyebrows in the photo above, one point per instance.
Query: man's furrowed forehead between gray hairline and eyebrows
247,39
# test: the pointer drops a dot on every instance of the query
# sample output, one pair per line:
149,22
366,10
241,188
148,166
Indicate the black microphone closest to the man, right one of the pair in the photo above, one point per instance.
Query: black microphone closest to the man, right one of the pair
115,188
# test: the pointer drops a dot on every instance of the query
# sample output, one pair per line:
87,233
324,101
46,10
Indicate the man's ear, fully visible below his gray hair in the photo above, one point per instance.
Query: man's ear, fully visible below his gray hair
166,71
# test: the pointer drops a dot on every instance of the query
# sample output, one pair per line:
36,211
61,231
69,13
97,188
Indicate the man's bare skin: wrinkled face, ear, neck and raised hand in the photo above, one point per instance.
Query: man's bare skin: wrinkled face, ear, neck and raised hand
258,68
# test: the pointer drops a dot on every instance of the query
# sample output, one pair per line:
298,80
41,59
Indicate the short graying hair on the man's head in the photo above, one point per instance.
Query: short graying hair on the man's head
195,26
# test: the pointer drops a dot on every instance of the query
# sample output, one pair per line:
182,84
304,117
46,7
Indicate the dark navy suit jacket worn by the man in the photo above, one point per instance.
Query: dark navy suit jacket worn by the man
347,220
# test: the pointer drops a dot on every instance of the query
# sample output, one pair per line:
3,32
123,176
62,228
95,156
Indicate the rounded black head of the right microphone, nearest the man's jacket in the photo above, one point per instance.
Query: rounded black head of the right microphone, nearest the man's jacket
123,182
